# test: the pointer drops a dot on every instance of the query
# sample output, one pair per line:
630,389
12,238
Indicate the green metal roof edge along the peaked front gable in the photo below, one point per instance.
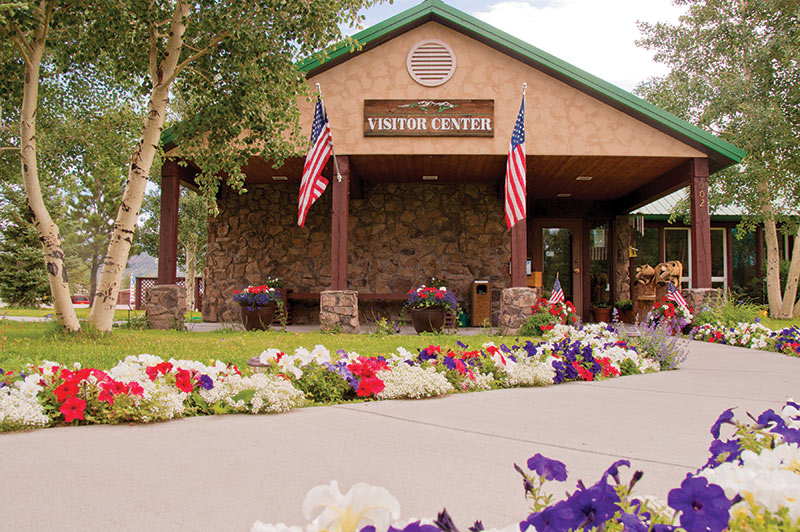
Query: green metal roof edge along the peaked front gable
721,153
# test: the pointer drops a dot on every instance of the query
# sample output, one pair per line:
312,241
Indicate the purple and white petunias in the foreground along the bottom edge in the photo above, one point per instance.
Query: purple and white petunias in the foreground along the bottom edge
751,482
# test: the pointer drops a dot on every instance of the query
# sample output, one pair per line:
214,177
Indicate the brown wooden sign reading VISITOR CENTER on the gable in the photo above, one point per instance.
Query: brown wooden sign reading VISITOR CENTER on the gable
429,118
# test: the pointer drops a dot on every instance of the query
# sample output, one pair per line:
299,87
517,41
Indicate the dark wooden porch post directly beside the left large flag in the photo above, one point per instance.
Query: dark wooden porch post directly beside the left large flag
339,222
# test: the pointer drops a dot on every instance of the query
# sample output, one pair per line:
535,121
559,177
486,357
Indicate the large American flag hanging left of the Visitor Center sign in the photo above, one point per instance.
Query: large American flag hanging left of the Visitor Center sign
313,184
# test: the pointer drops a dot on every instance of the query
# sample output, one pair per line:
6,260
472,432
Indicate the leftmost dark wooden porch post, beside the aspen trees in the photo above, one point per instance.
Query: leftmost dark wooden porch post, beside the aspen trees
168,232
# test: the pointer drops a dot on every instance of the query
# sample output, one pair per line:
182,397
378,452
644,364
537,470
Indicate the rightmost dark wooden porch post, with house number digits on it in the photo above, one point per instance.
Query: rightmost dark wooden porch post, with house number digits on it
701,224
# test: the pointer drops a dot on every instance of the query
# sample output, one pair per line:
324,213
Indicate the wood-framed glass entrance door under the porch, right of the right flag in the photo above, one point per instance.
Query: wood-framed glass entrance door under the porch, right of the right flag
556,250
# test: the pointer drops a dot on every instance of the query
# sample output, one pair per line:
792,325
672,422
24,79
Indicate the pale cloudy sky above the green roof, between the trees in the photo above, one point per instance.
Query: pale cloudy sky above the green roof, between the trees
597,36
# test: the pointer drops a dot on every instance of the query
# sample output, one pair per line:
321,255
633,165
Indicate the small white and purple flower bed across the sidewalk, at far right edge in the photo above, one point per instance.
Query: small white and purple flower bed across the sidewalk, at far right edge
751,335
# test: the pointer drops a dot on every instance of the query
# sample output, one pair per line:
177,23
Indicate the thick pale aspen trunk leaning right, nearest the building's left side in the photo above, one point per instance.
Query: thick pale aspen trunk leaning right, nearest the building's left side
102,314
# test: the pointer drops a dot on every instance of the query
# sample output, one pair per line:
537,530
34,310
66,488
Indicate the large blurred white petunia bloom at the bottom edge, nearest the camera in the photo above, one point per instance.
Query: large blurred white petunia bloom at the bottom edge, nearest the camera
361,506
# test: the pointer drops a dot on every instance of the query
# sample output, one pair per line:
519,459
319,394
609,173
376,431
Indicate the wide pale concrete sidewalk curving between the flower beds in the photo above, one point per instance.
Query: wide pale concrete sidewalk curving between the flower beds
223,473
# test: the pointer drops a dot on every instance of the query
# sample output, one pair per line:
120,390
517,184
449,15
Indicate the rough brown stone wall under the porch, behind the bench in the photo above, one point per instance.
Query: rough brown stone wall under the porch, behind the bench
399,235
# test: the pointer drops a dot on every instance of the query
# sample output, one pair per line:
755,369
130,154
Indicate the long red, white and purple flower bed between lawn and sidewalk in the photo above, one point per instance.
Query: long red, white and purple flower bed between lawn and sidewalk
147,388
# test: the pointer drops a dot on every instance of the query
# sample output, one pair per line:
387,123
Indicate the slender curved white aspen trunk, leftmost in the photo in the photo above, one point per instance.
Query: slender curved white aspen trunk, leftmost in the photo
47,229
